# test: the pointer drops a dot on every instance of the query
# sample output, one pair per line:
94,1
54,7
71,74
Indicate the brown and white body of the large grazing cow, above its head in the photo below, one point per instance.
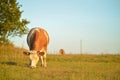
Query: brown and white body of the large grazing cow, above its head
37,39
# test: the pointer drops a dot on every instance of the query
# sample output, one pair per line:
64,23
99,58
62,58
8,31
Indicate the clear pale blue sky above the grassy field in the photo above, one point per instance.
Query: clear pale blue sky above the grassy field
92,24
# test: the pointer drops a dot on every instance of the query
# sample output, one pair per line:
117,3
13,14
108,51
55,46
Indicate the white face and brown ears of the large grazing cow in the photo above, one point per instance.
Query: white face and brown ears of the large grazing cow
34,57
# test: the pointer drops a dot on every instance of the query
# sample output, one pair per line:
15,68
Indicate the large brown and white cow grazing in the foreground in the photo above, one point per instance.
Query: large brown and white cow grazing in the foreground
37,40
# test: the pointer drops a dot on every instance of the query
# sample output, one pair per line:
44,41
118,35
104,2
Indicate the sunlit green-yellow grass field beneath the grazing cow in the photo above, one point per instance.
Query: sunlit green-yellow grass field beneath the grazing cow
14,66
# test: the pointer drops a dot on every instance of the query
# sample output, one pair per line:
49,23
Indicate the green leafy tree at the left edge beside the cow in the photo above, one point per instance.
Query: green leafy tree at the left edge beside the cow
11,23
